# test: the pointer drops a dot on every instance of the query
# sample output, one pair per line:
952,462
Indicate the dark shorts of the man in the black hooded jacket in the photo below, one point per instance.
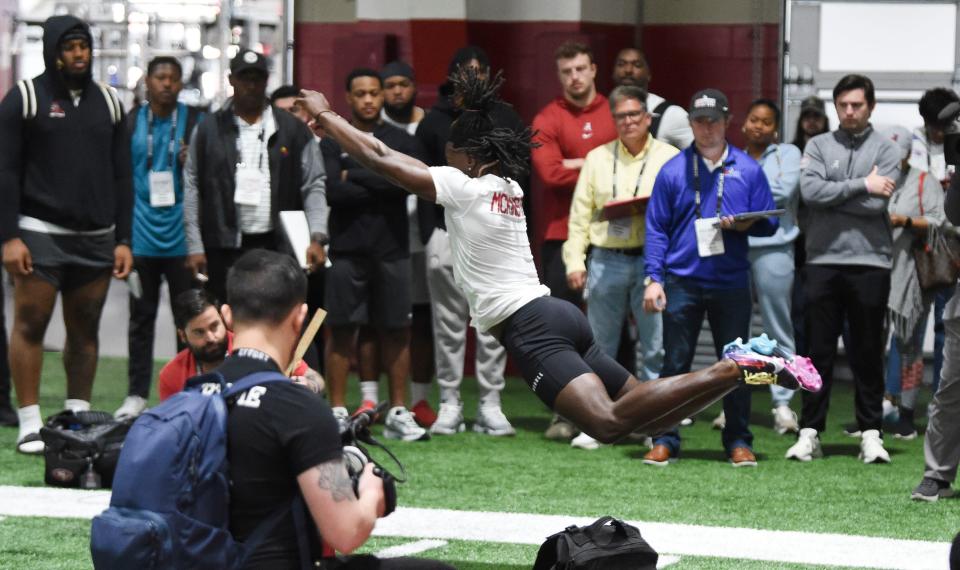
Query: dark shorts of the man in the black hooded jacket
70,261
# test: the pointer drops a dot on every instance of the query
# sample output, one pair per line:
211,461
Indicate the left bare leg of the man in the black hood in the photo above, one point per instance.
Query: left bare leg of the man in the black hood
33,300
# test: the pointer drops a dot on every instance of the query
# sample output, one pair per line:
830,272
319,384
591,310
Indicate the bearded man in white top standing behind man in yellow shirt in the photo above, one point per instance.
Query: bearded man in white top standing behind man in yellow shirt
670,122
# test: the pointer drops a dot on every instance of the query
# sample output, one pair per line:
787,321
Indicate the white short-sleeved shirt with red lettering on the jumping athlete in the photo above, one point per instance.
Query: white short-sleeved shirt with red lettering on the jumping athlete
492,263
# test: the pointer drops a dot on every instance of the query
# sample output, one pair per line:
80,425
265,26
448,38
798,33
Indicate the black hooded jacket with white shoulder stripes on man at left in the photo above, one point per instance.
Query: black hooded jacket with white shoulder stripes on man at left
68,165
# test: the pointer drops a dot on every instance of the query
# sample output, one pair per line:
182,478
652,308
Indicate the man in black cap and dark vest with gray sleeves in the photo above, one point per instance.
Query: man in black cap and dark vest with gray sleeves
248,162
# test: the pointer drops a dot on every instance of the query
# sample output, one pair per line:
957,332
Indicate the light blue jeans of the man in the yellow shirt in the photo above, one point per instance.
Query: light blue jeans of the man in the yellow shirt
614,285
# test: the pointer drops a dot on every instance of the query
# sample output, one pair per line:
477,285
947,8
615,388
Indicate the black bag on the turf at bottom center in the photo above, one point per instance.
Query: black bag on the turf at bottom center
608,544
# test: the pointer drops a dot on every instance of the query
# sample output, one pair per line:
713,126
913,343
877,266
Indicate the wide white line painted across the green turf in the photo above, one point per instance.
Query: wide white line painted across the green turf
518,528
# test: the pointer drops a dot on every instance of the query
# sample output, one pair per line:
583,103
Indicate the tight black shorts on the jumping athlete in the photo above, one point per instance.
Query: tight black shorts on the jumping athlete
551,342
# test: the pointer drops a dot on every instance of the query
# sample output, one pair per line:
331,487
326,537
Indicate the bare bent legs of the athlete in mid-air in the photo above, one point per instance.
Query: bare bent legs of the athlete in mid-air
653,405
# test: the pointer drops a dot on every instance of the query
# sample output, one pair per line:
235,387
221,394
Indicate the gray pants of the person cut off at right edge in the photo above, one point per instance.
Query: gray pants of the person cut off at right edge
941,446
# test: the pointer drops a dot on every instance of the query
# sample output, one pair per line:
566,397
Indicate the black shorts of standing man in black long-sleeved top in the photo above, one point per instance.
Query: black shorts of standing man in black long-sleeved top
368,291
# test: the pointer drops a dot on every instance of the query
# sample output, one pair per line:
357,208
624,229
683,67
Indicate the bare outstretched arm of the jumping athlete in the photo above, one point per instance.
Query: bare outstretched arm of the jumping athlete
402,170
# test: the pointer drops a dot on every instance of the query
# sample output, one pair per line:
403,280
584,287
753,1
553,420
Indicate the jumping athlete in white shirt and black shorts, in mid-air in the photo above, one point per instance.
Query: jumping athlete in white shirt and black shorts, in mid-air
549,339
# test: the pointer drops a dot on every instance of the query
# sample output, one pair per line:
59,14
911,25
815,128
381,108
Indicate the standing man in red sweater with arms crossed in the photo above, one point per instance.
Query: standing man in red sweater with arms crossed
568,128
